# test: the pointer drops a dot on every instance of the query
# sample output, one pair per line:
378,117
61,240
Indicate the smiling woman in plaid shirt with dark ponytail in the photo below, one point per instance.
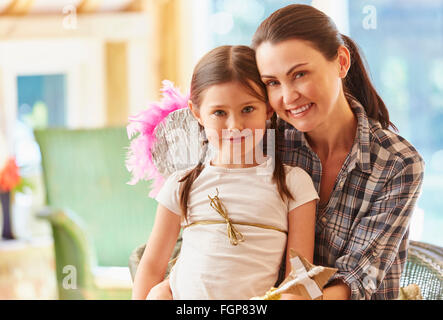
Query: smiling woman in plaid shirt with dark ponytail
334,125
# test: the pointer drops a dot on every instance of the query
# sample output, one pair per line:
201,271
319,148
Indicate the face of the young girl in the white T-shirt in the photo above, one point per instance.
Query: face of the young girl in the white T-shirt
234,121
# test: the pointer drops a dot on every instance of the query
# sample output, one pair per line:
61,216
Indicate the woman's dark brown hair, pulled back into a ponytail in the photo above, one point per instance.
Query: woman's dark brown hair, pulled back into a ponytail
304,22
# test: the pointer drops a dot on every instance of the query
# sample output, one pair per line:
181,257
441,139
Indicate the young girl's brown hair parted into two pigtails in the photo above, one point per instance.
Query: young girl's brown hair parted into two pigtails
221,65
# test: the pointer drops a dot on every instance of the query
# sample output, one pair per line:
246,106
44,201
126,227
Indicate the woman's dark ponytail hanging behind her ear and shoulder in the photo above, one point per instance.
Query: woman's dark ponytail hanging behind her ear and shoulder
358,84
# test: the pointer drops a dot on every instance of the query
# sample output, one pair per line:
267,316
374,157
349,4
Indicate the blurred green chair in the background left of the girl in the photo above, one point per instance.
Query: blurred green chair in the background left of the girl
96,217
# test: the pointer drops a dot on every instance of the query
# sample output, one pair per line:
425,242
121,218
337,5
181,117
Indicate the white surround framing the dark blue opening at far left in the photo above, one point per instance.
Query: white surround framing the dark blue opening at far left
80,59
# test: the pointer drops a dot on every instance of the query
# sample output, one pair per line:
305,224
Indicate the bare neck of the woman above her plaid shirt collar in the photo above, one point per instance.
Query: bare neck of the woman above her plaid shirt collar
336,135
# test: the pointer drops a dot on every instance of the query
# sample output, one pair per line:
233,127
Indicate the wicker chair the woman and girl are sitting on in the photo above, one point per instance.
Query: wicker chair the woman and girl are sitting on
424,268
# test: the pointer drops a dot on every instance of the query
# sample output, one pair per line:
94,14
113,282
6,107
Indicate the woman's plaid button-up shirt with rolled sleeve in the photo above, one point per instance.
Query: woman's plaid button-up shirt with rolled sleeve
363,229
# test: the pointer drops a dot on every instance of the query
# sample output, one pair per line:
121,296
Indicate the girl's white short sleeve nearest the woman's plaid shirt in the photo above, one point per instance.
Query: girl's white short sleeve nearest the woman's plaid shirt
300,185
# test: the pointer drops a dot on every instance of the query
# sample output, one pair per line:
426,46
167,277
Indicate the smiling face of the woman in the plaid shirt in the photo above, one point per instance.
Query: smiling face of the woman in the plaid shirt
303,86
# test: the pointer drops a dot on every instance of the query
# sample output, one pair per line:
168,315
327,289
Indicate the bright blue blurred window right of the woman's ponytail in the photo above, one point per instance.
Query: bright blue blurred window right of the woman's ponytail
403,45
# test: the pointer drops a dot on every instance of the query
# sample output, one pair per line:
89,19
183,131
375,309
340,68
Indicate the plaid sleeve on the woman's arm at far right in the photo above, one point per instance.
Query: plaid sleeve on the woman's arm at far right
375,242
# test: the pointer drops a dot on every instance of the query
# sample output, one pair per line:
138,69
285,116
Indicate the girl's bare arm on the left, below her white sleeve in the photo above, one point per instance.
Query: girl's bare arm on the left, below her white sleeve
154,262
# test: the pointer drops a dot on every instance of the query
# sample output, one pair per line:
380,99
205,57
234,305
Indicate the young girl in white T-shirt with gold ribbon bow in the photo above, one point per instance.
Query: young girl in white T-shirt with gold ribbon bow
238,215
